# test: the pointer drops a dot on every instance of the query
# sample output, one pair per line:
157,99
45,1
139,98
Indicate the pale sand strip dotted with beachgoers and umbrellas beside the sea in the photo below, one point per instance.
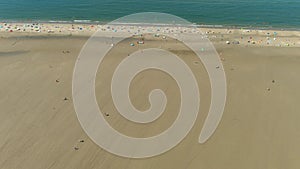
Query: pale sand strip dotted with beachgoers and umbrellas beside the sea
229,36
